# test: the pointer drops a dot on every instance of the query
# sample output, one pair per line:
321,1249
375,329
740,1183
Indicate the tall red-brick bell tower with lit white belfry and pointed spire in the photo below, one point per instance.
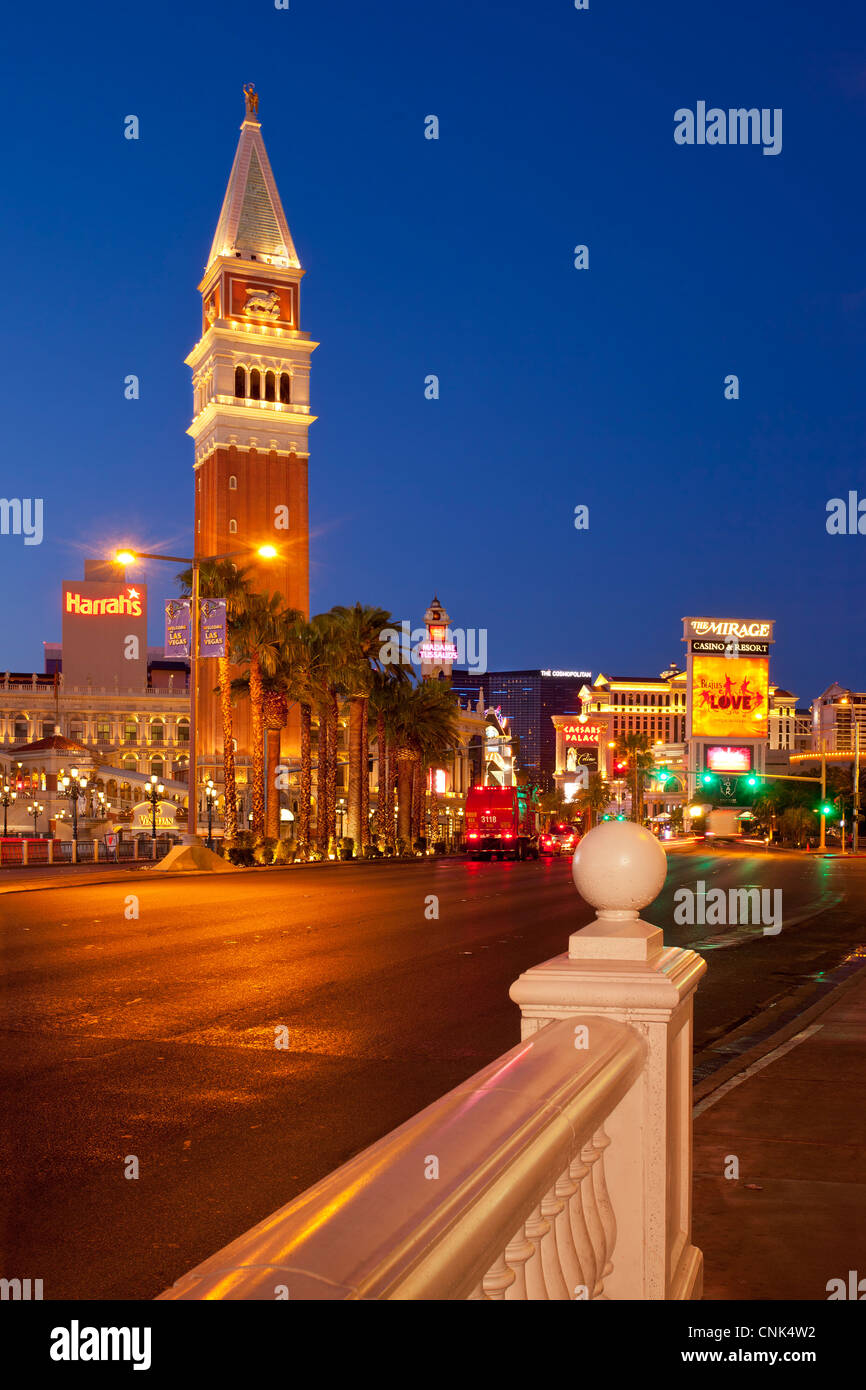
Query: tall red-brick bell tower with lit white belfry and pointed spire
251,375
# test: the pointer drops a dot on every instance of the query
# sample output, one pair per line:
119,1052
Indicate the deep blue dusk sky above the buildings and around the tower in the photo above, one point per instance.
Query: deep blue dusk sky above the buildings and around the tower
558,387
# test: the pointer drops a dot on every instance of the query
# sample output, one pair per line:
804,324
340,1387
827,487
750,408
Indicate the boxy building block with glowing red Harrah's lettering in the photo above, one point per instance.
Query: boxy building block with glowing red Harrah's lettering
105,635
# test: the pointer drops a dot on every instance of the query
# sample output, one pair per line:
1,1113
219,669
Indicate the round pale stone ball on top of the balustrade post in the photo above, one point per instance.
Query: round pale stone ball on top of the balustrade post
619,868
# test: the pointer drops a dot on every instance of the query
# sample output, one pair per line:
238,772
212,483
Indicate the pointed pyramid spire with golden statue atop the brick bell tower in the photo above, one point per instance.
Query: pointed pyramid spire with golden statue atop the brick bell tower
252,223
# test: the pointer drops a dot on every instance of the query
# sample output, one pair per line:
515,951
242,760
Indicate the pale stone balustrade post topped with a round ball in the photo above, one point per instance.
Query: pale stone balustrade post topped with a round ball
621,968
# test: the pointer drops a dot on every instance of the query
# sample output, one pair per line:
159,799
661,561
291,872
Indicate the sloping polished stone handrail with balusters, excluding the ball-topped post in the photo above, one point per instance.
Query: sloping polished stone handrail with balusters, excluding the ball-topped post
518,1207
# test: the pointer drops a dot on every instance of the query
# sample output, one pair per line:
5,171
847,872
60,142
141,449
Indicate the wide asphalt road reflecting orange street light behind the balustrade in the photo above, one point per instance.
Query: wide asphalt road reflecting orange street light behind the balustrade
155,1036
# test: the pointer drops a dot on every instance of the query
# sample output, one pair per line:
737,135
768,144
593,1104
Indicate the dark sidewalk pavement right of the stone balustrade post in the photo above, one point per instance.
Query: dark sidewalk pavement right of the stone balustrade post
796,1218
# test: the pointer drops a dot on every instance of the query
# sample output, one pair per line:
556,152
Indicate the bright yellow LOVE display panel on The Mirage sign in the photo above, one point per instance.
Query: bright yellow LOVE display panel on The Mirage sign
729,697
